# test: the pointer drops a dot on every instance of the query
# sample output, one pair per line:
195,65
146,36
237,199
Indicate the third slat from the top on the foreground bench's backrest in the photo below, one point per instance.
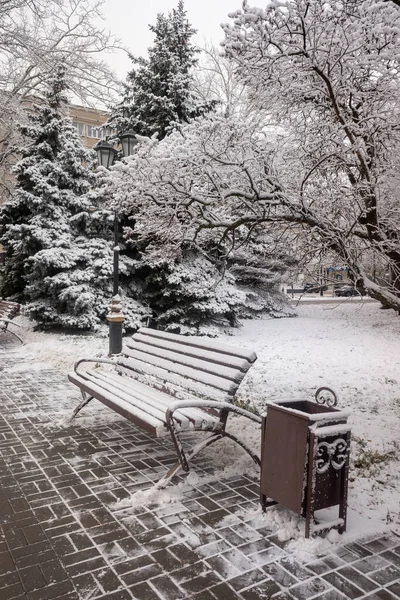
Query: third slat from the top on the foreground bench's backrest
184,377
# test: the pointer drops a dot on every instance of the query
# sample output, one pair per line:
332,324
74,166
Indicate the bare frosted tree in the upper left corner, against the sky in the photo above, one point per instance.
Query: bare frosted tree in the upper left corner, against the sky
36,36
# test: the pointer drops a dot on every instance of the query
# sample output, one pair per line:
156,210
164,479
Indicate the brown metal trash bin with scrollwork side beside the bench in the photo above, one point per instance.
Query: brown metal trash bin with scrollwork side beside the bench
305,460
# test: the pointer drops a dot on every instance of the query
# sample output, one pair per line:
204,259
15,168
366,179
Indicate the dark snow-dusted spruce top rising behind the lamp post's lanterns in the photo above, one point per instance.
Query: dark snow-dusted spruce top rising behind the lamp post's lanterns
159,91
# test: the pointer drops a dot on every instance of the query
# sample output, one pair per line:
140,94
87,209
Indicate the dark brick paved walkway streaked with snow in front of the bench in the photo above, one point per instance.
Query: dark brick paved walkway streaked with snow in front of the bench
64,536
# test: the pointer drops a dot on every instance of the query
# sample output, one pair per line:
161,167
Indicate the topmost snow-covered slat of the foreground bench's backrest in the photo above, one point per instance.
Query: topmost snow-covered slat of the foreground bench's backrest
209,355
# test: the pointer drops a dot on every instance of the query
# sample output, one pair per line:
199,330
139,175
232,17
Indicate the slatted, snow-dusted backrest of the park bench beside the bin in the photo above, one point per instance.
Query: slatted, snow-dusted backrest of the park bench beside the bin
174,363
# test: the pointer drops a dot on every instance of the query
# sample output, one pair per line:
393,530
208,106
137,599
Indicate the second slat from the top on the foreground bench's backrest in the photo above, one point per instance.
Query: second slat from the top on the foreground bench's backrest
152,355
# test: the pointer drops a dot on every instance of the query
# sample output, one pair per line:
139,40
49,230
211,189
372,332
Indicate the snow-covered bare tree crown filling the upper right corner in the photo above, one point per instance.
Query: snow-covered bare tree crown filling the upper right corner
329,74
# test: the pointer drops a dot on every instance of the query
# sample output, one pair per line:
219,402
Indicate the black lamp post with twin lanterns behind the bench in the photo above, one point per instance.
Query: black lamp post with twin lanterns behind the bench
105,157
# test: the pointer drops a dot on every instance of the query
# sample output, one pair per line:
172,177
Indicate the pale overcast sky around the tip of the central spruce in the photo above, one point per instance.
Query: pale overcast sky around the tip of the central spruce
129,20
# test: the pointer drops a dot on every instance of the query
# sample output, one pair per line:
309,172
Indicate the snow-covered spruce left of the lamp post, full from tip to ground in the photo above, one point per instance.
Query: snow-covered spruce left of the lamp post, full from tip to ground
60,256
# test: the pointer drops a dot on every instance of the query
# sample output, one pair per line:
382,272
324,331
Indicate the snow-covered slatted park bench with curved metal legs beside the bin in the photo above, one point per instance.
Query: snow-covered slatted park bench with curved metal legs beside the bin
169,384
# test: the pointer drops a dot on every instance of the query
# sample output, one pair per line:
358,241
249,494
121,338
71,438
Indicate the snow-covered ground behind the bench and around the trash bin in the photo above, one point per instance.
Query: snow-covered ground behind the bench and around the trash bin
353,348
